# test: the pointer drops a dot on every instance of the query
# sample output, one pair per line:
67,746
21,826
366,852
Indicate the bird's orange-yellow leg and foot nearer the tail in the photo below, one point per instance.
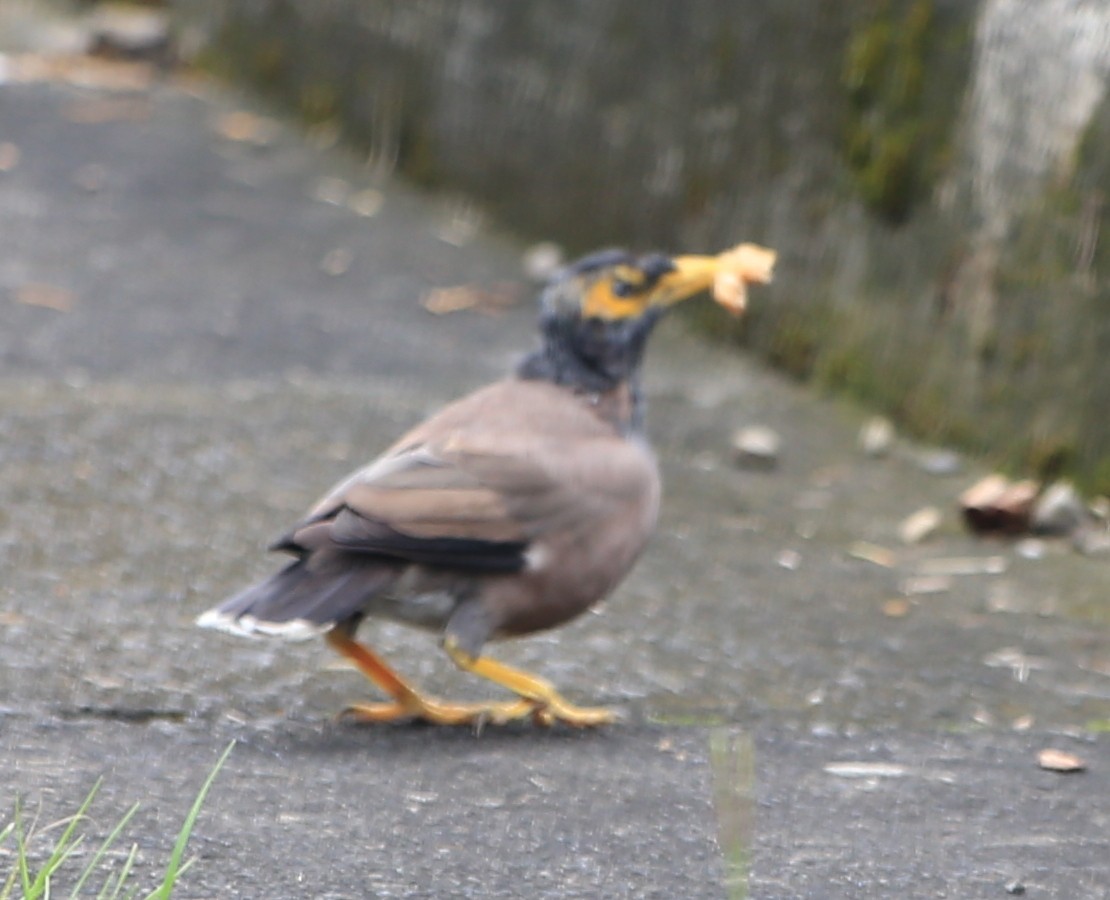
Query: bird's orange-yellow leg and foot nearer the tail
408,703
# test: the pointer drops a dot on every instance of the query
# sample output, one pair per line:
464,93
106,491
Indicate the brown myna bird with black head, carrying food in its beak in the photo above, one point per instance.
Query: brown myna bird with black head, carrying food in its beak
512,511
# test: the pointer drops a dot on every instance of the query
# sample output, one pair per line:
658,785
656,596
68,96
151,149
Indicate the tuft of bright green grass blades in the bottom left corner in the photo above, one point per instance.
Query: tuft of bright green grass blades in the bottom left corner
35,879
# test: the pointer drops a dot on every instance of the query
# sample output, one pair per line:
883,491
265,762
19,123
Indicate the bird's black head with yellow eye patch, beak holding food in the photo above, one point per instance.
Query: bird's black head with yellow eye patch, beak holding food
599,312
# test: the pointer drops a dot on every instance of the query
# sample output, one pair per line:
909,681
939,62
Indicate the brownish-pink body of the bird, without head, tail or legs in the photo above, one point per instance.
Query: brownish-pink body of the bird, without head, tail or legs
517,463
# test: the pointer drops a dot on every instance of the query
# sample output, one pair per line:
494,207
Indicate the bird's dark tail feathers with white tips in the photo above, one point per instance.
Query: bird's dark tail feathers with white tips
304,600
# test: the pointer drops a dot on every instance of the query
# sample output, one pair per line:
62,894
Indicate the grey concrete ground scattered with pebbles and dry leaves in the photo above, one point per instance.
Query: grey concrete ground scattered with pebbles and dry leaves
204,329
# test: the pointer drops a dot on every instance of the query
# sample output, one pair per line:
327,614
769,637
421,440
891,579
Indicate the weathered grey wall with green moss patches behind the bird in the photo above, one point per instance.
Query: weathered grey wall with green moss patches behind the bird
852,137
